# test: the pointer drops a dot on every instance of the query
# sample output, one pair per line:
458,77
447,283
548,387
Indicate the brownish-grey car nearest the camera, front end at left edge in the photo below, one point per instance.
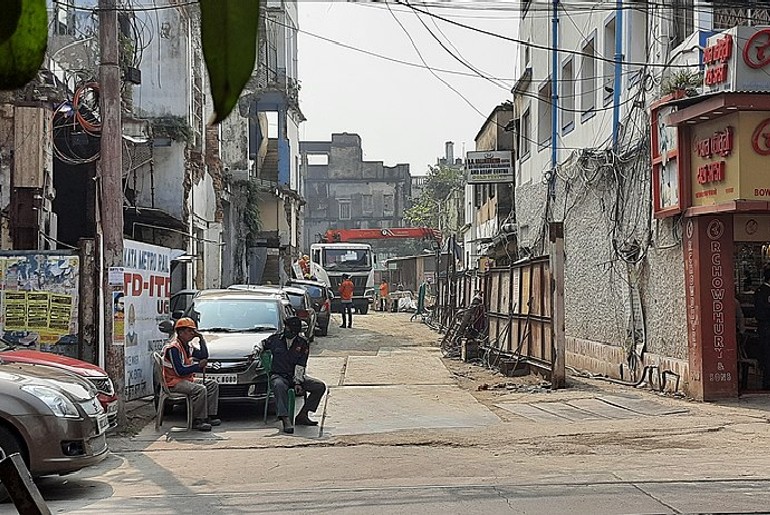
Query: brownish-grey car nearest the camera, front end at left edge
52,418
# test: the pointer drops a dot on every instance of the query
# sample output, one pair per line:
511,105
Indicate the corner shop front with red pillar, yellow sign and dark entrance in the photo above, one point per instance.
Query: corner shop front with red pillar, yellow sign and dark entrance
723,163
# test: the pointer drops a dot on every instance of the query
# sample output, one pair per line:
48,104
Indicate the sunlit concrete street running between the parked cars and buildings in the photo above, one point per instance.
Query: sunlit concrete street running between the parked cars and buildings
404,431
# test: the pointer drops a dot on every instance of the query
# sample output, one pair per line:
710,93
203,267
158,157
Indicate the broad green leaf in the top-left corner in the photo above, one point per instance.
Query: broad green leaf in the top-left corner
22,53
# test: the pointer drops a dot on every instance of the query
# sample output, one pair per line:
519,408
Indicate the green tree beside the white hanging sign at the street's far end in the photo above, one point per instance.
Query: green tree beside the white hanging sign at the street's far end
426,210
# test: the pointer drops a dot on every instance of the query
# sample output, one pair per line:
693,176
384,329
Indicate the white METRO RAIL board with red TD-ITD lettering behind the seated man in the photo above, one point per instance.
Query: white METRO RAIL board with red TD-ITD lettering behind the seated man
139,308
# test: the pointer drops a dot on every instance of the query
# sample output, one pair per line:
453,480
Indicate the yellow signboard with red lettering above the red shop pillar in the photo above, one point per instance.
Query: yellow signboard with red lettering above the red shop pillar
729,157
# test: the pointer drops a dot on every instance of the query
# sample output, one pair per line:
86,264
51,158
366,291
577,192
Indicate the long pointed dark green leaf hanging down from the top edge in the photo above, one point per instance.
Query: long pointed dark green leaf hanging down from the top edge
229,36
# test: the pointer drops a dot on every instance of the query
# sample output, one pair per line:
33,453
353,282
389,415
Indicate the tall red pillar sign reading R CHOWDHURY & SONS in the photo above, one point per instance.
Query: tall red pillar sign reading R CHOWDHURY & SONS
709,286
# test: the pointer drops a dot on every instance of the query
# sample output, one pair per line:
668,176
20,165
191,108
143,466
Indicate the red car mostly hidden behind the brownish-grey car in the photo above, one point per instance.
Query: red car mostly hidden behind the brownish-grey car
92,373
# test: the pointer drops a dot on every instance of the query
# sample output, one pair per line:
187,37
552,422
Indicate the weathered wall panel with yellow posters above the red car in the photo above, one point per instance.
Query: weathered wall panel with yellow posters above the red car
38,301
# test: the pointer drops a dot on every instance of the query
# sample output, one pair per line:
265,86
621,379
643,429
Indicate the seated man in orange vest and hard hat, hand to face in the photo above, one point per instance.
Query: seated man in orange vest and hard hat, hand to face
179,373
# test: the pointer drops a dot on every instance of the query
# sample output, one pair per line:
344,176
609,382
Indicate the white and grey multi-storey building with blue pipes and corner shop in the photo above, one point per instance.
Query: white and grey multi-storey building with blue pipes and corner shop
636,227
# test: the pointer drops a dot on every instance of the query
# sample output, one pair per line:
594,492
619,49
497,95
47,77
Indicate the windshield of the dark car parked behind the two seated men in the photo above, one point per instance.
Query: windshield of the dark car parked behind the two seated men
231,315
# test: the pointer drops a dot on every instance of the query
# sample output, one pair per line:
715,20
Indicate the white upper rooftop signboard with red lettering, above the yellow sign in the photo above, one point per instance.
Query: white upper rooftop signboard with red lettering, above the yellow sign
737,59
